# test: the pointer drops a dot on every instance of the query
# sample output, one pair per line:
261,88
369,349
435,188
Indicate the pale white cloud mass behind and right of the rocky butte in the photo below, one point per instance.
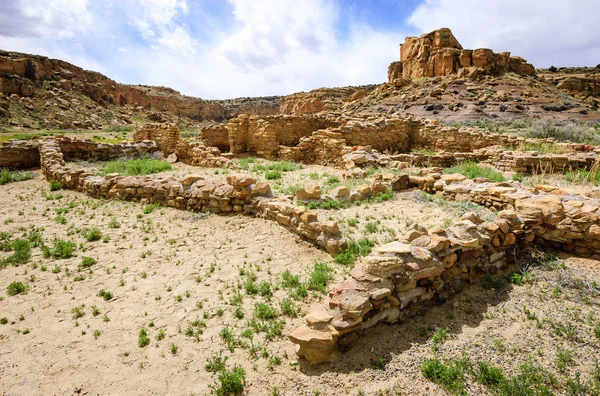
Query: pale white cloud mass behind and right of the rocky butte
545,32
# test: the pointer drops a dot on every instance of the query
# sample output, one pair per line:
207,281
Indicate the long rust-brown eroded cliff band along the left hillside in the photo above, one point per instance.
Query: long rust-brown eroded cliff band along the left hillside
24,74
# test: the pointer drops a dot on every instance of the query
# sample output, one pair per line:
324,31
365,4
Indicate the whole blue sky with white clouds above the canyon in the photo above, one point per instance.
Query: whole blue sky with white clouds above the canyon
218,49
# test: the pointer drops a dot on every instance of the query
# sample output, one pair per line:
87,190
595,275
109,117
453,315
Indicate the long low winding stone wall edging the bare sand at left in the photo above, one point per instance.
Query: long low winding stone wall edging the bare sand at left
238,194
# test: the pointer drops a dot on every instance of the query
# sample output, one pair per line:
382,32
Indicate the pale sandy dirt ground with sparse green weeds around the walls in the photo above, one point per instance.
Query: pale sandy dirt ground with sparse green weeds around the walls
181,276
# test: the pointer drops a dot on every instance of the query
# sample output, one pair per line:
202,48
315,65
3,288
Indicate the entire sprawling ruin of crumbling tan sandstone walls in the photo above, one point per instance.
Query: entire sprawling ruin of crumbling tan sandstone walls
398,279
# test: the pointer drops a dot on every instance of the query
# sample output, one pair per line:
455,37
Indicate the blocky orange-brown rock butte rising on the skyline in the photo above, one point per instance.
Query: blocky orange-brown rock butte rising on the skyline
439,54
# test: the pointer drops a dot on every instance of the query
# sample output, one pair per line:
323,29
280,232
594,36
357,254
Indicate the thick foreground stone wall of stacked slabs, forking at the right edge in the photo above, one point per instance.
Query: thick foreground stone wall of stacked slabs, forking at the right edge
427,266
